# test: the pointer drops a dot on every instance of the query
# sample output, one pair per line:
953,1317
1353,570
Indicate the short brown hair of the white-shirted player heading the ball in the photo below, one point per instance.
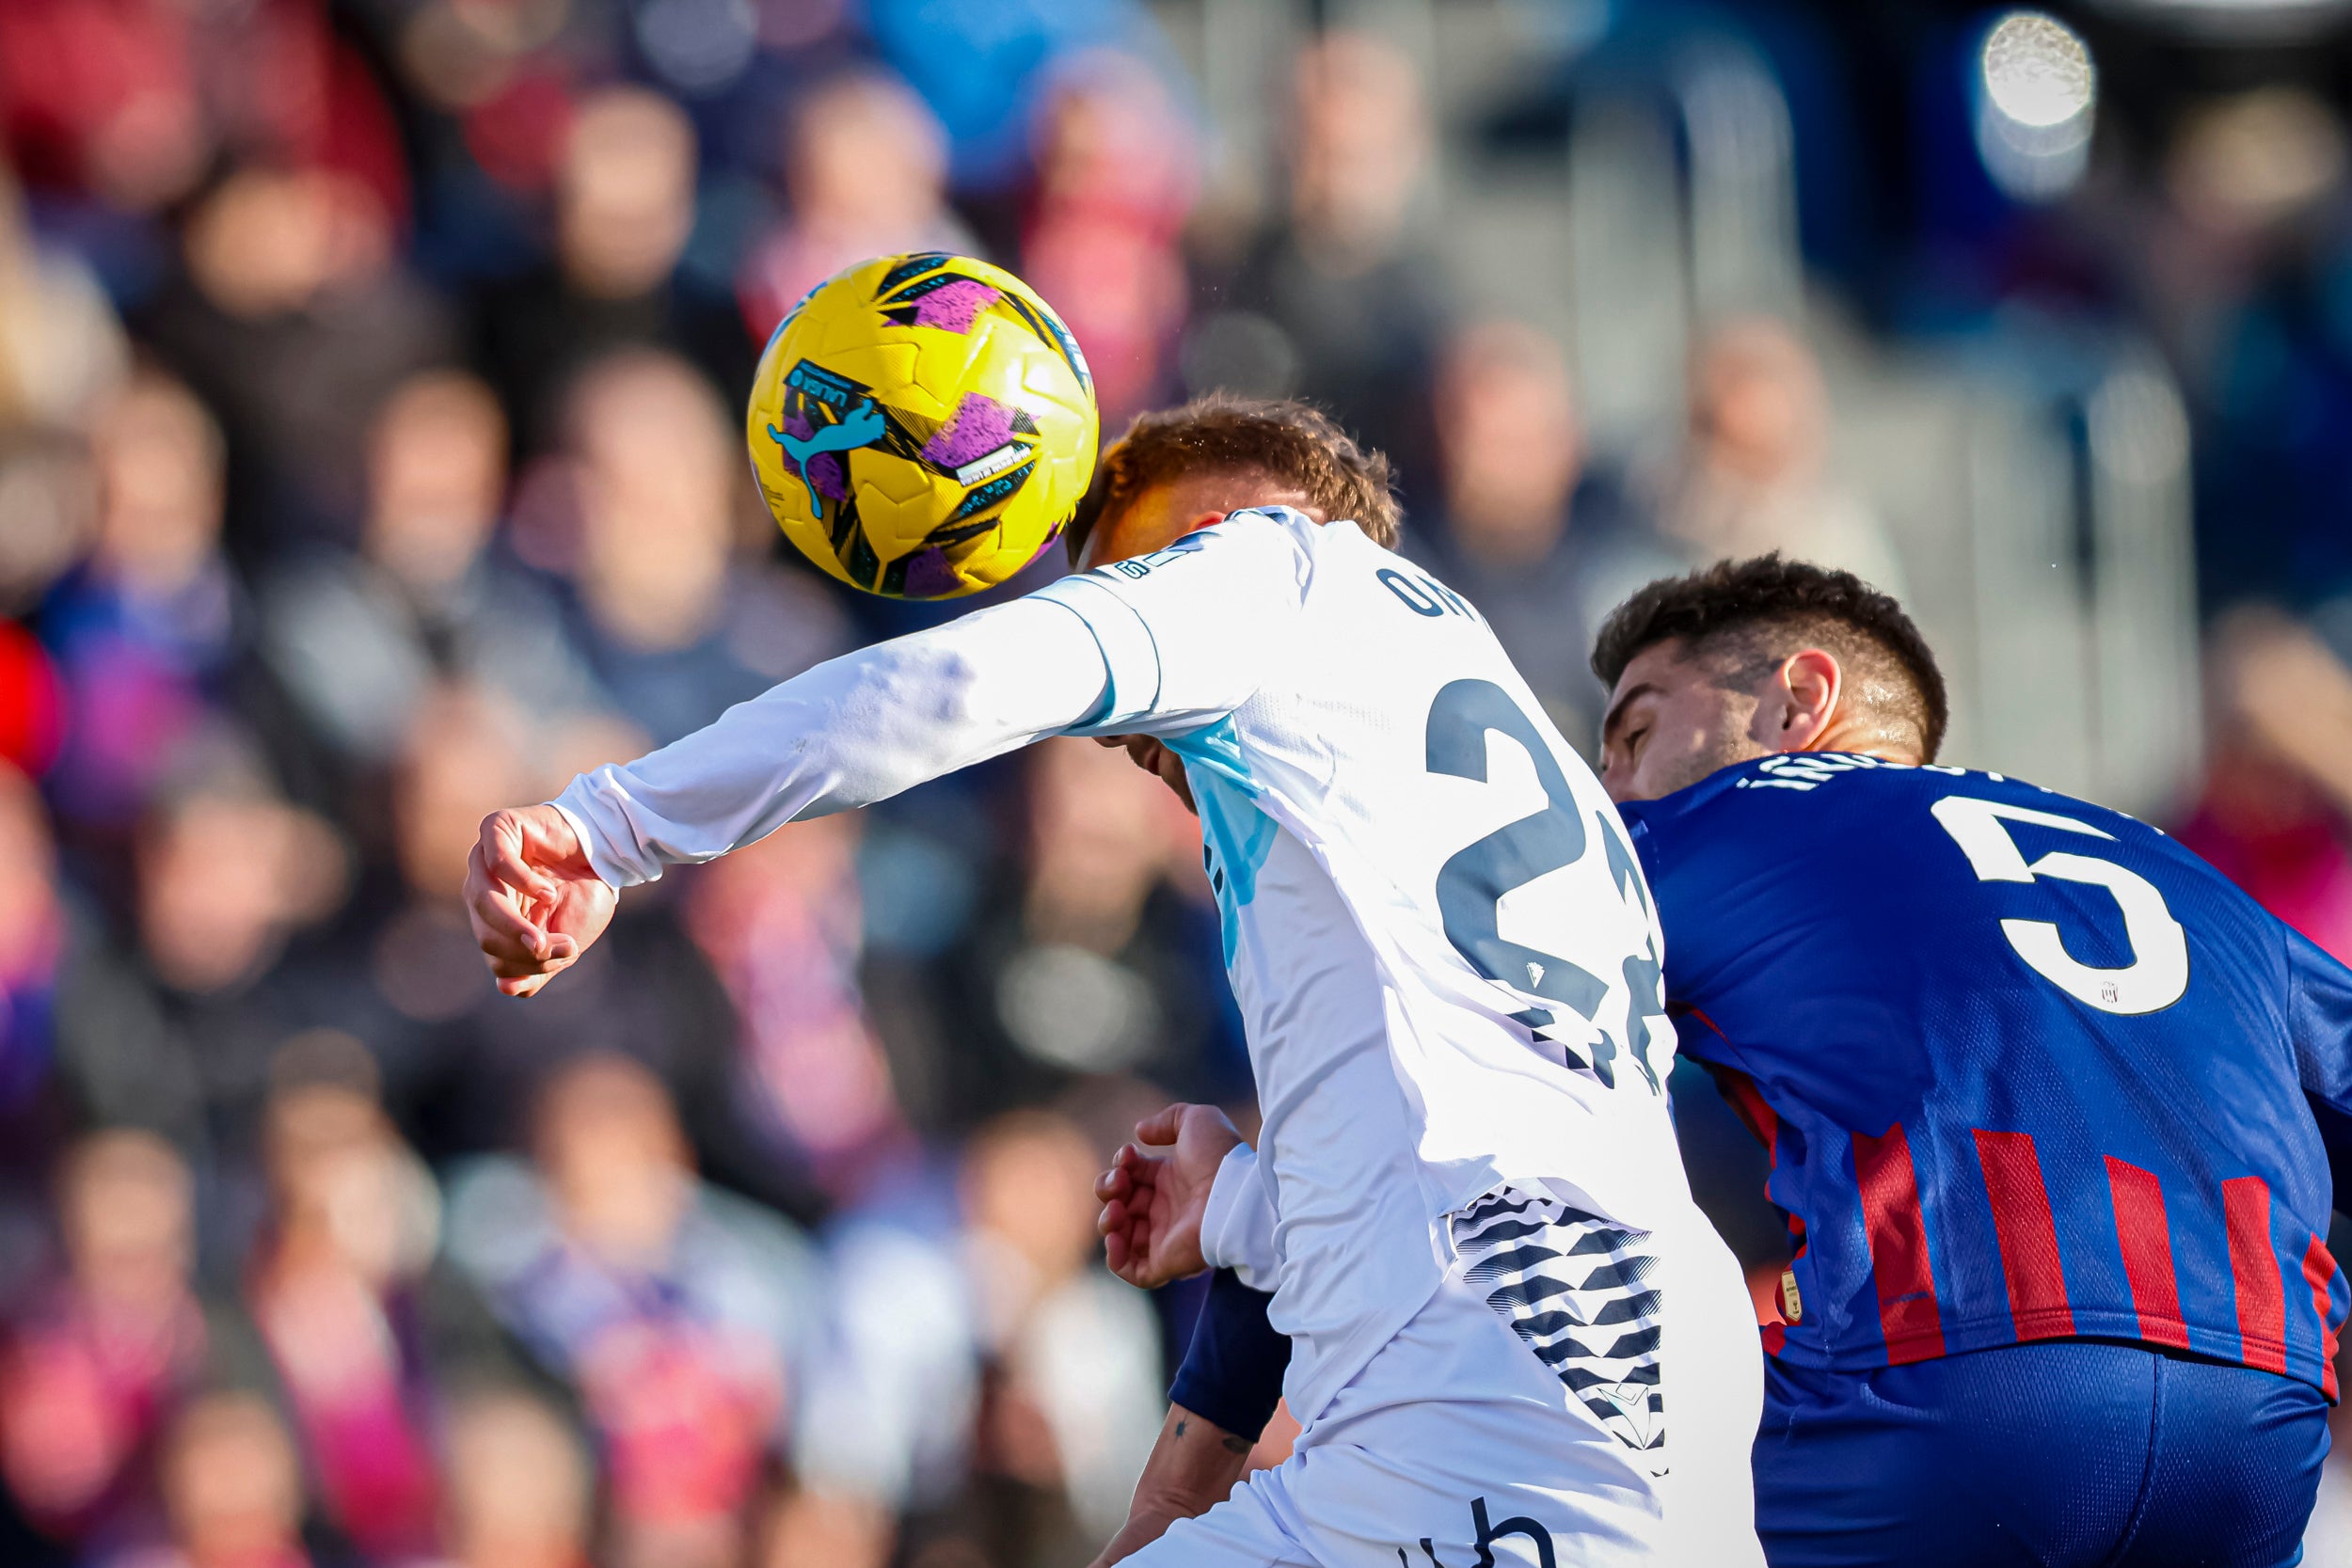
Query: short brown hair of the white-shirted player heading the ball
1285,441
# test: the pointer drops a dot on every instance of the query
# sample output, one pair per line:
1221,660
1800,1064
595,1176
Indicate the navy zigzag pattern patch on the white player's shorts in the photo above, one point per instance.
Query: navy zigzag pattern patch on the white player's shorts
1584,1296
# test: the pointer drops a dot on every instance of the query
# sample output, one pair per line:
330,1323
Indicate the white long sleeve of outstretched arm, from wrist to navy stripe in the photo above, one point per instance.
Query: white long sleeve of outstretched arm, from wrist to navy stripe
850,732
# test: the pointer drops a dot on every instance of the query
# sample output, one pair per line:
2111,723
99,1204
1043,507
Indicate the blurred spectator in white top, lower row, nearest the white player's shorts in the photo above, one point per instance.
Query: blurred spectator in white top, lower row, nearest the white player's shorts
1076,1398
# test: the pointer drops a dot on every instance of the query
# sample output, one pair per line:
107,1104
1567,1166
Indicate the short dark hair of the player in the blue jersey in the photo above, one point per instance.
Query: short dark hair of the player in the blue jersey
1768,608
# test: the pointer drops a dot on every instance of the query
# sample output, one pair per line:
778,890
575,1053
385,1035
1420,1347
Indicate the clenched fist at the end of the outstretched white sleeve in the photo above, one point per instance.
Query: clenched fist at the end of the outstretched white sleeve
533,897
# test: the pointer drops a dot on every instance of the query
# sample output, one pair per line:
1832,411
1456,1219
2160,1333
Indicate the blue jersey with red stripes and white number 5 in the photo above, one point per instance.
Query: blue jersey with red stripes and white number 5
2026,1066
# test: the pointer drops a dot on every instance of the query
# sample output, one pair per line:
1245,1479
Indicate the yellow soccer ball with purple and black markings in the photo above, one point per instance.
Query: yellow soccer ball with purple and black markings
923,427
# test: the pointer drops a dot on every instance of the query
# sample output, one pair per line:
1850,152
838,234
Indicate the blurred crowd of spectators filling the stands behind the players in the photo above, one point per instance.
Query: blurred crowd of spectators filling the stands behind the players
370,460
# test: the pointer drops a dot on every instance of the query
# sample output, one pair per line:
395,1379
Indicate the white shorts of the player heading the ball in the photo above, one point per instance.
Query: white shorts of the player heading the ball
1462,1447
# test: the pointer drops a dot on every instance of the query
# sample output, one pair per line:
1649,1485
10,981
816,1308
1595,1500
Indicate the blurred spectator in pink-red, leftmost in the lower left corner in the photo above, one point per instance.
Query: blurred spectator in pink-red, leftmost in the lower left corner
100,1355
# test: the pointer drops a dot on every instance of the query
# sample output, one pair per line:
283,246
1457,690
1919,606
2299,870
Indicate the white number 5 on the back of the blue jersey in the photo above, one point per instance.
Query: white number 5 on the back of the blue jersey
2160,951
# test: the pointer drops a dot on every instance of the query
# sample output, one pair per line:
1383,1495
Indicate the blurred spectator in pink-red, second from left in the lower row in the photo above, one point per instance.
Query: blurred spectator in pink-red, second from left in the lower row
338,1296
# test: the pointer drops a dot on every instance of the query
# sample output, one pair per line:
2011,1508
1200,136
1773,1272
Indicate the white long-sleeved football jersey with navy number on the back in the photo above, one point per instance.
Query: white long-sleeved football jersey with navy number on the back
1443,949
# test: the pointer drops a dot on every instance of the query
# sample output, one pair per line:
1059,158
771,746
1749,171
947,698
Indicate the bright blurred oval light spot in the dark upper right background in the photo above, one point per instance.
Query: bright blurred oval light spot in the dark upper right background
2036,105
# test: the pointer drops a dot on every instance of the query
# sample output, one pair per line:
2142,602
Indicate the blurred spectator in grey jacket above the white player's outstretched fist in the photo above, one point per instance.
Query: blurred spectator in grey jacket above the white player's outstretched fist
361,638
